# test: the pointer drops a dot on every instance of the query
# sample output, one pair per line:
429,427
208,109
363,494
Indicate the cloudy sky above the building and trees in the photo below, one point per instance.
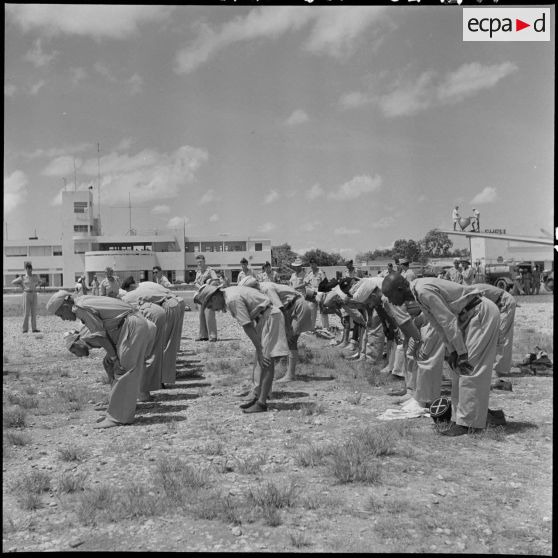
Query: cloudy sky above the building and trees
342,128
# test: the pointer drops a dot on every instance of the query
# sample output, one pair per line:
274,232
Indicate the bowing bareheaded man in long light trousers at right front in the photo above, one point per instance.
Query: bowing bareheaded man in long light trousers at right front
469,324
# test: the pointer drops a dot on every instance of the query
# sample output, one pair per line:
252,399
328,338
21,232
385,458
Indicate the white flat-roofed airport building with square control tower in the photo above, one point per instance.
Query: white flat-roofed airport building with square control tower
82,249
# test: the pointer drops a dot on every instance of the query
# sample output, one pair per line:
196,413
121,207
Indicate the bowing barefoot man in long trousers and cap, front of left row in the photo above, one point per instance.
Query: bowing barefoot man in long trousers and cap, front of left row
124,333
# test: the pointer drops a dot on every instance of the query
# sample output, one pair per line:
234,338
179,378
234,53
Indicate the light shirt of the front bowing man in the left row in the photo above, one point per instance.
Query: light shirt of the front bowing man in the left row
102,315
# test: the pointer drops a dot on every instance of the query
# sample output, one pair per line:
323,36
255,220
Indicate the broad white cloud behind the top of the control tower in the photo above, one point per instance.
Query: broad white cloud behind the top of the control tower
146,176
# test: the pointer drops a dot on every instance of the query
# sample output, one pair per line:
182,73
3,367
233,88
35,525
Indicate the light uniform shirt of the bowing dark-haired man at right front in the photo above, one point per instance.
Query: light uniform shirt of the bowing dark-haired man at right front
441,302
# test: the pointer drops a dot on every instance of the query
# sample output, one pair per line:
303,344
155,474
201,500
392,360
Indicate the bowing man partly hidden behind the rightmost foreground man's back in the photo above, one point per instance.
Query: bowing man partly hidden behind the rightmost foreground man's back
506,305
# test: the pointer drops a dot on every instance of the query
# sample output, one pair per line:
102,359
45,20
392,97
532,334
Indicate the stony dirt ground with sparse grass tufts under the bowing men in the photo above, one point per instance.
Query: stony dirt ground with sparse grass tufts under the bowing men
485,493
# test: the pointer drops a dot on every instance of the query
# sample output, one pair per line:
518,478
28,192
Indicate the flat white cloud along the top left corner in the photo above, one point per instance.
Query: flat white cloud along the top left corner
97,21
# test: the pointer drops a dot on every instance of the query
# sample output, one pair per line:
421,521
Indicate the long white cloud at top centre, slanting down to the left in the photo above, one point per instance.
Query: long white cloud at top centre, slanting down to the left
333,32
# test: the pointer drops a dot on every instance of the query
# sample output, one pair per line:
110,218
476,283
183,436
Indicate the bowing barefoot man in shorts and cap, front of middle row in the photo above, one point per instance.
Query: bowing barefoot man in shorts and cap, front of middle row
263,324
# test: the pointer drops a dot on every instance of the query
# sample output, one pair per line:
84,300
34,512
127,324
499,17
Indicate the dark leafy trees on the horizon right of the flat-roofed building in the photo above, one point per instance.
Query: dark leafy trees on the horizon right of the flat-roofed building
435,244
